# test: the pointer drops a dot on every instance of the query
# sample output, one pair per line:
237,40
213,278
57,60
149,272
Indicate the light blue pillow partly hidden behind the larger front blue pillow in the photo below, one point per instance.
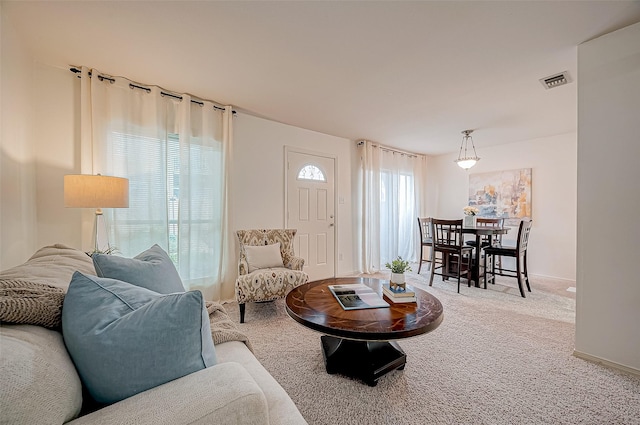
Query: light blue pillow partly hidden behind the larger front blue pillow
151,269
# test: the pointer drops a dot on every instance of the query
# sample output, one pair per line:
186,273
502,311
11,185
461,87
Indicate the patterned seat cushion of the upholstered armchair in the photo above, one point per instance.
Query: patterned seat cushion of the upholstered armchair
268,284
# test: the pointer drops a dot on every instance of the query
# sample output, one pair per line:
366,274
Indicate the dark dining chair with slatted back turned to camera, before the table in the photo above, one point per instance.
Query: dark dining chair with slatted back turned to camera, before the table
448,239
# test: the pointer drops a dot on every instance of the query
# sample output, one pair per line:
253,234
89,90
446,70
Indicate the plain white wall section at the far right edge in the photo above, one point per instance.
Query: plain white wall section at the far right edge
608,286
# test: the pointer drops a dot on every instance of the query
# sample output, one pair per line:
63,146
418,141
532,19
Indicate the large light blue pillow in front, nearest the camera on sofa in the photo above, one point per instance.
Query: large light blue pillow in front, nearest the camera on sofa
124,339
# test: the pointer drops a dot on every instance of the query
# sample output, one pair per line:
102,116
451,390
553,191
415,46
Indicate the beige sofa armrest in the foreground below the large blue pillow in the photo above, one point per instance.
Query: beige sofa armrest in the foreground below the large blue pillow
222,394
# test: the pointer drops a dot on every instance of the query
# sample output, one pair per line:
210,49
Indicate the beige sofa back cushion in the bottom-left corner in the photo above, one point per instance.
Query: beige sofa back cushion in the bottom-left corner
39,382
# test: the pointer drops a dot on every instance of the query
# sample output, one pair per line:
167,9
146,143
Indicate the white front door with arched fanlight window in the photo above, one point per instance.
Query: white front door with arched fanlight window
311,210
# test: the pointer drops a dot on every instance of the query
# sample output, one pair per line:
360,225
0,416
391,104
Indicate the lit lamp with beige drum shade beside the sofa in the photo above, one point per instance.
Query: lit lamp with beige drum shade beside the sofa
96,191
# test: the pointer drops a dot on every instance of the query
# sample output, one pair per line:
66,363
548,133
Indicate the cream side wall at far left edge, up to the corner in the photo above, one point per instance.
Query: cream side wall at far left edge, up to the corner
17,147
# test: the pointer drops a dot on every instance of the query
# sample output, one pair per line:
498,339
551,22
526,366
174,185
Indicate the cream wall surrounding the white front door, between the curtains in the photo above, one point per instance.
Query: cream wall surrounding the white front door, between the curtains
258,177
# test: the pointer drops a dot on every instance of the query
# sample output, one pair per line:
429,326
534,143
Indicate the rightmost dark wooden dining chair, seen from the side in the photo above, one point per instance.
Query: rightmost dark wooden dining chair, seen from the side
519,252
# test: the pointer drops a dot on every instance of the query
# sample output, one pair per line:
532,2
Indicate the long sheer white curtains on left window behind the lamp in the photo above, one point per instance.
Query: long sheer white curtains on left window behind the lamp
174,153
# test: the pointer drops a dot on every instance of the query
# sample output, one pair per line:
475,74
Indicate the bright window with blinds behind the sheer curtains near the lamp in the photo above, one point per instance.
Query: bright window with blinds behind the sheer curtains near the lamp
154,188
